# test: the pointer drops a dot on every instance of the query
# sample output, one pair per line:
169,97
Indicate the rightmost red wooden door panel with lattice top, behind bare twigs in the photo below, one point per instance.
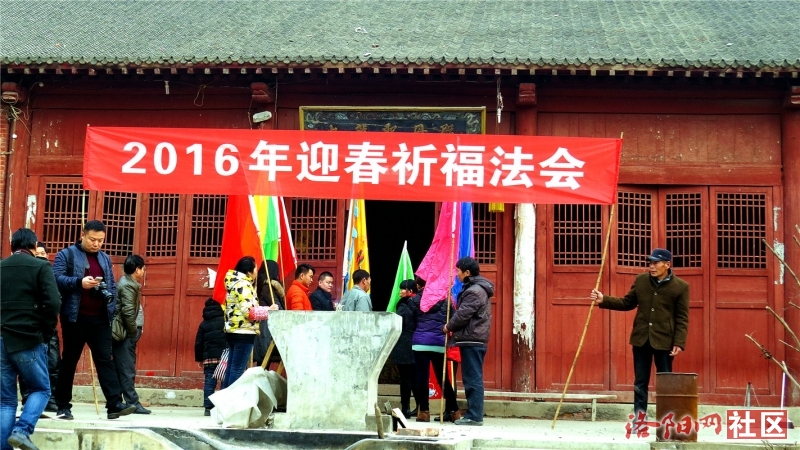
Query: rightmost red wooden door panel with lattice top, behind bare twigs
741,271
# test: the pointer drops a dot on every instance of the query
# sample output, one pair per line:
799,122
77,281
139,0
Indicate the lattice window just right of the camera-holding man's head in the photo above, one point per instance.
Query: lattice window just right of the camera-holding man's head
119,215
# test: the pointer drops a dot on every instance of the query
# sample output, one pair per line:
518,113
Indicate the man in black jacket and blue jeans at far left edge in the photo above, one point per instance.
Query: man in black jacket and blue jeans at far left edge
29,305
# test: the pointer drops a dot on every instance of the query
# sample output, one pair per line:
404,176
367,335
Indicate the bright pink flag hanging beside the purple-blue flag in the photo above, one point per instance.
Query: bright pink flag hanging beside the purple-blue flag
438,267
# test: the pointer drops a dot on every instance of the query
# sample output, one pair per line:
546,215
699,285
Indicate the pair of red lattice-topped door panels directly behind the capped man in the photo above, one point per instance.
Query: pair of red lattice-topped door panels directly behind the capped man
676,219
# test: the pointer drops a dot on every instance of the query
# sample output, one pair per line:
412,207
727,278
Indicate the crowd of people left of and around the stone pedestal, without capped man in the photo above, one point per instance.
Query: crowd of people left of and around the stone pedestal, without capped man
107,316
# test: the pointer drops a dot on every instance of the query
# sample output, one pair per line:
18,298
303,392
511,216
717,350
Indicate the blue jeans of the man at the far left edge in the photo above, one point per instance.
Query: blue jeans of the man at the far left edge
31,365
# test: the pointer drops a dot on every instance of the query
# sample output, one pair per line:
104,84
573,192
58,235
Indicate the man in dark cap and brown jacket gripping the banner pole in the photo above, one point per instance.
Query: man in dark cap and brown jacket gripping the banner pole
661,322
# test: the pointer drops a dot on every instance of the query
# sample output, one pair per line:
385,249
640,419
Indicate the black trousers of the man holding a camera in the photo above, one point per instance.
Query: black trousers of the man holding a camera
96,332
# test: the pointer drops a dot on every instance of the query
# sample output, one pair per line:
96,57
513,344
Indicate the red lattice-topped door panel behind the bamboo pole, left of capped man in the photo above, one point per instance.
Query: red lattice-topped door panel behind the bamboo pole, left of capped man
574,246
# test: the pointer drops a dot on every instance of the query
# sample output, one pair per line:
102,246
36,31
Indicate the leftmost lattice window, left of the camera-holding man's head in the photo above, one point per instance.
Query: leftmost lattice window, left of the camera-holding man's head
65,206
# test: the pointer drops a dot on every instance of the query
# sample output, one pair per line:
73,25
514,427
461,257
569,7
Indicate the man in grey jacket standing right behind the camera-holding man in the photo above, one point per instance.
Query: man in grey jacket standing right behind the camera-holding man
130,310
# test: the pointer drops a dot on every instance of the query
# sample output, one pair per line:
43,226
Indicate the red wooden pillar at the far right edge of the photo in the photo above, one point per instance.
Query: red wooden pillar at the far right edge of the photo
791,190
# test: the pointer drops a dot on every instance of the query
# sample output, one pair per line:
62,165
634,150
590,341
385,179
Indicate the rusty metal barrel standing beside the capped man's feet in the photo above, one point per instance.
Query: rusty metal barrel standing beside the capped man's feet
676,394
